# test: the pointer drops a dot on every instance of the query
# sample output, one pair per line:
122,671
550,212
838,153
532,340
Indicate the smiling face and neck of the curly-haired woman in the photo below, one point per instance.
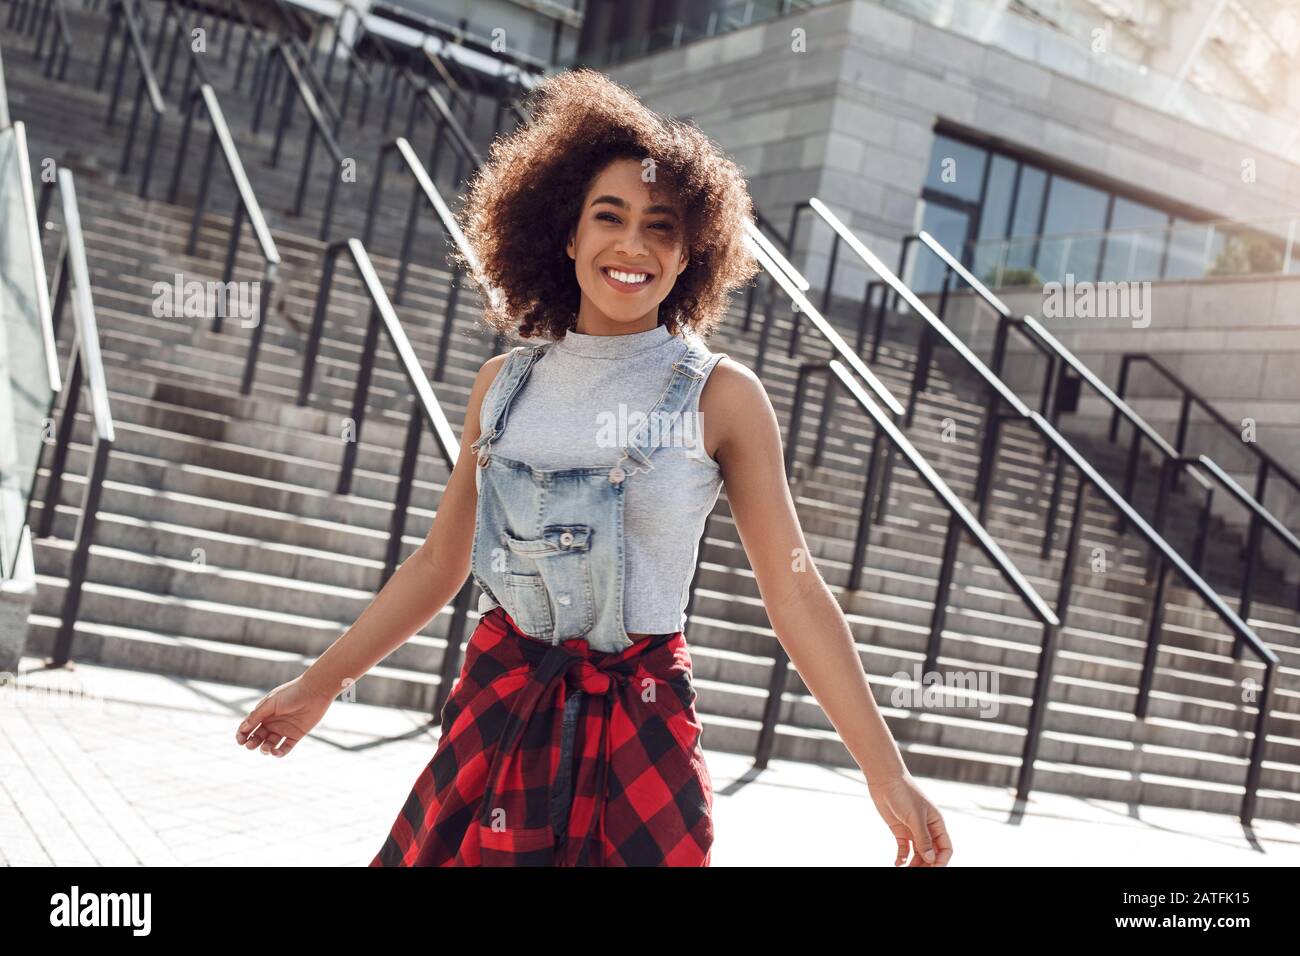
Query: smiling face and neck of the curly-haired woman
629,249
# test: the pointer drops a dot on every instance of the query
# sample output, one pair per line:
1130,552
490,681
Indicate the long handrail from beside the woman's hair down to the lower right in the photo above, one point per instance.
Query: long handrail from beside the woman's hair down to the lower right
1168,557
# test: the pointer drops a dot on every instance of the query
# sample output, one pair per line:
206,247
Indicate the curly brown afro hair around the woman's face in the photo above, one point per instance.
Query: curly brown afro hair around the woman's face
523,205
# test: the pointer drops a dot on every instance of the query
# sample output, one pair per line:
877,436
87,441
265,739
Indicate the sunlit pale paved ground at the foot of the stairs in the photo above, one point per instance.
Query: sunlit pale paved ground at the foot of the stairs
140,769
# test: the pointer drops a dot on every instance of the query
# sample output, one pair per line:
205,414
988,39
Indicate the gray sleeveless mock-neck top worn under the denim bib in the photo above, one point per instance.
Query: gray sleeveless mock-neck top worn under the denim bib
583,400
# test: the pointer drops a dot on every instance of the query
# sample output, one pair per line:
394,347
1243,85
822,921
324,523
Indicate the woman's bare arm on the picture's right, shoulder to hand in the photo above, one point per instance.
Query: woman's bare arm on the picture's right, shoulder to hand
804,613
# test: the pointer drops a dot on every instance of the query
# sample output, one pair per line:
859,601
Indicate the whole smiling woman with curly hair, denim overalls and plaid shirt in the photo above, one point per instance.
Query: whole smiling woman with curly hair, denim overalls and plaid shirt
613,237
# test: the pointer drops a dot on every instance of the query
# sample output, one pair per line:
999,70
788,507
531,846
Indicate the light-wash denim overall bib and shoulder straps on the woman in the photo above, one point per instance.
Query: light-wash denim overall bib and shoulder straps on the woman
549,544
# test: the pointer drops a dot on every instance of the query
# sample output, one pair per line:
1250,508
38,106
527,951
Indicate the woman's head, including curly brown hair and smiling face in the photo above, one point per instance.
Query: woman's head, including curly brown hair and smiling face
596,165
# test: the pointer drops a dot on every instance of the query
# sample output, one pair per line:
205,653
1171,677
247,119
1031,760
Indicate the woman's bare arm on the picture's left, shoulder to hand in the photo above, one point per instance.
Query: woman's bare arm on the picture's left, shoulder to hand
424,583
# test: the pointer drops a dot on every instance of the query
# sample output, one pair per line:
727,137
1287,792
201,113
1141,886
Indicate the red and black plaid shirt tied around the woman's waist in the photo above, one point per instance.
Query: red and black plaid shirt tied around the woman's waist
562,756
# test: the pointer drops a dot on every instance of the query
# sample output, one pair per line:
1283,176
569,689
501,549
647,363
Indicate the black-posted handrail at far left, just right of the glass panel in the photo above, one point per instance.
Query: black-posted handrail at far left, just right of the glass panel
86,366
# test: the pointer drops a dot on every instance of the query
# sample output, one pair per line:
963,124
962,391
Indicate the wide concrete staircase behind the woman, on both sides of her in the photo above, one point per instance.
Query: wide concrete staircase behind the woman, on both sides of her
224,553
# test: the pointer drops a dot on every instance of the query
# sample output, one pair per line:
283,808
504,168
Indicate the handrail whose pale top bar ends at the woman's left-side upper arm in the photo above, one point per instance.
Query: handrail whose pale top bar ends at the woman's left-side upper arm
428,413
